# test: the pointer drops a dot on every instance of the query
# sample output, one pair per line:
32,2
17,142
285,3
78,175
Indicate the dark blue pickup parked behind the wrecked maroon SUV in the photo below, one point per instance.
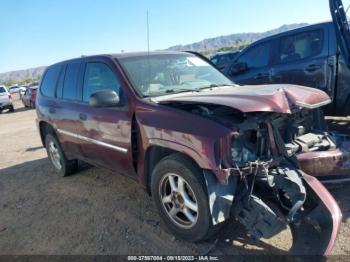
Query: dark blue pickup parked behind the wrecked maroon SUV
307,56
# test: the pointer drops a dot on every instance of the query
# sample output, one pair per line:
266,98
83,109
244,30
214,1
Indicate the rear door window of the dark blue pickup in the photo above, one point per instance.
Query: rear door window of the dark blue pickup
300,46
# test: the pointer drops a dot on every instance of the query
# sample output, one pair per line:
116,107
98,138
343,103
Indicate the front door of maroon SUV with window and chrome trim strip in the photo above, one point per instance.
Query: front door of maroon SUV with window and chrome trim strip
106,131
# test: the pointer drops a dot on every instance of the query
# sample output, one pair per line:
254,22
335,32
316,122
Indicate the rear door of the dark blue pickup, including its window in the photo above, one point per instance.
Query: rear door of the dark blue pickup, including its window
302,59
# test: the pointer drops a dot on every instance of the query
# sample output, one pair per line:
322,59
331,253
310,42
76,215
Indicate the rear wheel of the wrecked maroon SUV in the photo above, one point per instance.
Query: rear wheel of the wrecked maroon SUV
61,164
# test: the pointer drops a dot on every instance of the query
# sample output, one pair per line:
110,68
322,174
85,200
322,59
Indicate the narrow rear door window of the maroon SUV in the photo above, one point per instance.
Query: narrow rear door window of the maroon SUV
70,91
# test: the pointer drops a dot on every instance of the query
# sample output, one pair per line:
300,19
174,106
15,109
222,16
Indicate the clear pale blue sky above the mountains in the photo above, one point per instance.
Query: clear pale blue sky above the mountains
42,32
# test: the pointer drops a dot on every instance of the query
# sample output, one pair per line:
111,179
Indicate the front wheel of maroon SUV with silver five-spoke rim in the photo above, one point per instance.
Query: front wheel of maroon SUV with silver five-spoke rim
171,170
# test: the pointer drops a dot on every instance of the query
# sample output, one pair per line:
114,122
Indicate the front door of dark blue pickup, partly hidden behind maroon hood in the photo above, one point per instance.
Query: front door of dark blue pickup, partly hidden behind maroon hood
257,60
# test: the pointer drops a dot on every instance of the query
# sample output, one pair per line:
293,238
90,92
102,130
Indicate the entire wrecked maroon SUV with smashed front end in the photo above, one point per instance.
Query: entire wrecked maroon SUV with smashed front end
204,148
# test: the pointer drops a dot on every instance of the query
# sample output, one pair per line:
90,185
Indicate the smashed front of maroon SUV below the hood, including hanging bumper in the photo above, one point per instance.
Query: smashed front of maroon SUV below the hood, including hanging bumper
265,184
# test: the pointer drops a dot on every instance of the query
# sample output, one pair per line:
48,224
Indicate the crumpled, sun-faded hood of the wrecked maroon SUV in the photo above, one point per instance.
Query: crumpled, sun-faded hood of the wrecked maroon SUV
261,98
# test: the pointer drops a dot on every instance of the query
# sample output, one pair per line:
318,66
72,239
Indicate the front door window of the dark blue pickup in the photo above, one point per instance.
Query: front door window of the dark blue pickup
257,56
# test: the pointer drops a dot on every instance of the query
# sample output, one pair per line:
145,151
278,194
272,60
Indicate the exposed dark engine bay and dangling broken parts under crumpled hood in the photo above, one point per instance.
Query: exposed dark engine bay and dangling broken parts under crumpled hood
271,193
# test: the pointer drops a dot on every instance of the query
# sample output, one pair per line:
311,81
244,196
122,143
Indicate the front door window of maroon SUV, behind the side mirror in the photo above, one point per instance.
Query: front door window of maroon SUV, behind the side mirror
98,76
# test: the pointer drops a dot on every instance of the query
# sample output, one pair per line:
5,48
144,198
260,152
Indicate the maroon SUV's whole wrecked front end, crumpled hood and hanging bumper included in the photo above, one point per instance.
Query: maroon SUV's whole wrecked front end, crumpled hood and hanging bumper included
256,176
